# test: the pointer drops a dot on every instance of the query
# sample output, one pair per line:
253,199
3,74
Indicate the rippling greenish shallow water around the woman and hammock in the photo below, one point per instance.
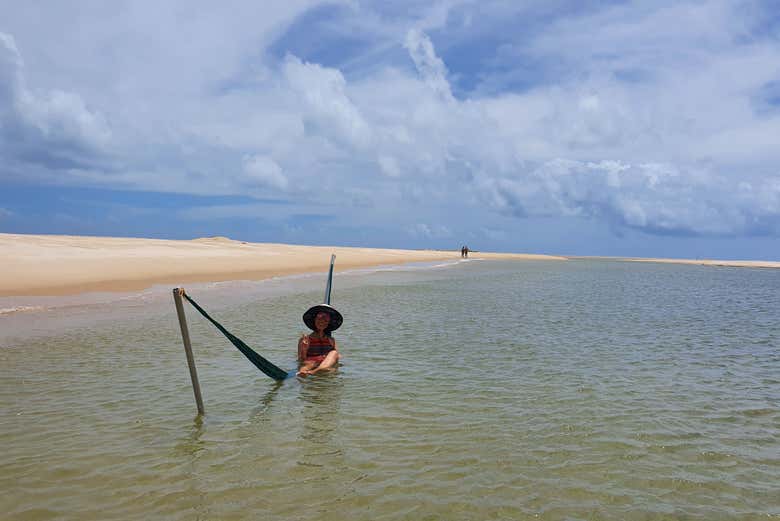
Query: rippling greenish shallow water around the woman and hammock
479,390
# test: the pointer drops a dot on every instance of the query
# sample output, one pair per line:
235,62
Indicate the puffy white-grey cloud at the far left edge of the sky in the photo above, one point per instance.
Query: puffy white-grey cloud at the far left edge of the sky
54,127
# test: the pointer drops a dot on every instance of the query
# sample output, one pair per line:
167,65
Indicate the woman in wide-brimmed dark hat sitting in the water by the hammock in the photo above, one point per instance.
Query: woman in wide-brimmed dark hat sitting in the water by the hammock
318,351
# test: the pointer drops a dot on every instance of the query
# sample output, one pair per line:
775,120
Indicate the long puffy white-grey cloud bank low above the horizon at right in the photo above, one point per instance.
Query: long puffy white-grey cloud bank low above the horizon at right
657,198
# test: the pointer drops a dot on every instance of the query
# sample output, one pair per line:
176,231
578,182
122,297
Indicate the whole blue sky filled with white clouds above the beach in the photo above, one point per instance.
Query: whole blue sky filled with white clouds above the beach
579,128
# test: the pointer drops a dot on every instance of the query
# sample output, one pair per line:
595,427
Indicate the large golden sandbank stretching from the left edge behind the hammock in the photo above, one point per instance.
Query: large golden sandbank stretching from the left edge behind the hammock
42,265
